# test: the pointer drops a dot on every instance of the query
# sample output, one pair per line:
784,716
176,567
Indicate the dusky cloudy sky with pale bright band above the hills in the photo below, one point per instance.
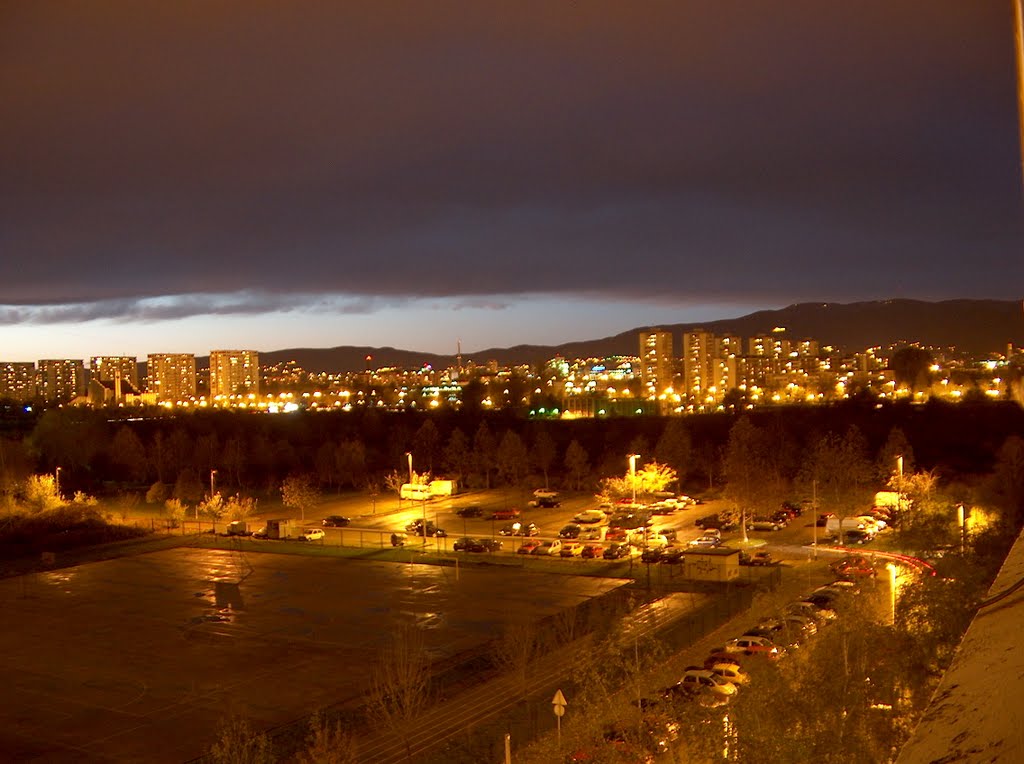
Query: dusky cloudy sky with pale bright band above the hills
181,177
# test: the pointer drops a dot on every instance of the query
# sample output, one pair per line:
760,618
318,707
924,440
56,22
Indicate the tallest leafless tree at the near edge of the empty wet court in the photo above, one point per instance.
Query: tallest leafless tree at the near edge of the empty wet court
401,684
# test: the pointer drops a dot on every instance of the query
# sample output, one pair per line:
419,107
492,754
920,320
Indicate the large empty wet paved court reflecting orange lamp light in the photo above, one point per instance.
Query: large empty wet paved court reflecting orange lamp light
141,659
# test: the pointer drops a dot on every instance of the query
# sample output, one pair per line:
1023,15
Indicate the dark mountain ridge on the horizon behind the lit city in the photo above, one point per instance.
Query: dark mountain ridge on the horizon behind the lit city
972,326
